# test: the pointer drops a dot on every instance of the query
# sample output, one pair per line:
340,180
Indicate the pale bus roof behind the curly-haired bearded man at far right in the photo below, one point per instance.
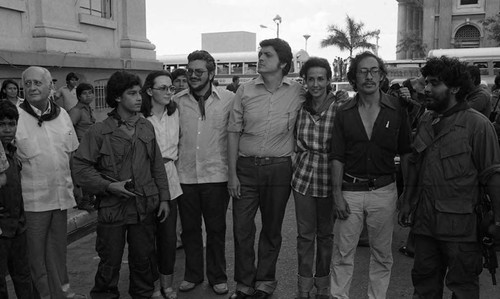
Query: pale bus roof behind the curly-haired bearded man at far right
487,59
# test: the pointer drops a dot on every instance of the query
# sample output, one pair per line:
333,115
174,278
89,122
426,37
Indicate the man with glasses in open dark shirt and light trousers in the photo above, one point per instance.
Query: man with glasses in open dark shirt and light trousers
369,131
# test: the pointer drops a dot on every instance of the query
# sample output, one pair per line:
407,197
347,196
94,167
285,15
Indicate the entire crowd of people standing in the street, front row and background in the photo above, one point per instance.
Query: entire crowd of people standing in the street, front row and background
161,170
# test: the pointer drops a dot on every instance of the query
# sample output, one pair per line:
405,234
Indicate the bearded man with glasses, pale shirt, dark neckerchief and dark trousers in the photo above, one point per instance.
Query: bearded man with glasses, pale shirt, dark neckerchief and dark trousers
202,169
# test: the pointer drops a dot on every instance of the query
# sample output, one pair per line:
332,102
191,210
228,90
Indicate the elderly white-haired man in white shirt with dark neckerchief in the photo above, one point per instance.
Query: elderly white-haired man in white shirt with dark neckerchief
45,140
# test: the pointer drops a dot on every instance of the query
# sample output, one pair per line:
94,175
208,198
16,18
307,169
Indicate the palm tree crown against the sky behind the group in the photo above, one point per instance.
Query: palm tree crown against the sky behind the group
351,38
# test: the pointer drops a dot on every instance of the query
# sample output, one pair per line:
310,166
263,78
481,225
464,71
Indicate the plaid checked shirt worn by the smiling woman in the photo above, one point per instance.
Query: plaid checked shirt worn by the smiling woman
311,174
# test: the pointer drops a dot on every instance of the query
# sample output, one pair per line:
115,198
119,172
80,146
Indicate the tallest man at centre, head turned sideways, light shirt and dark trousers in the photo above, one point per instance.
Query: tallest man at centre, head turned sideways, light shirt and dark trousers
260,147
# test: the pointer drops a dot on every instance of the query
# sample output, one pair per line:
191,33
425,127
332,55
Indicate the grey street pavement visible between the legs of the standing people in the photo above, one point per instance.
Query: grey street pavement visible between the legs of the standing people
82,264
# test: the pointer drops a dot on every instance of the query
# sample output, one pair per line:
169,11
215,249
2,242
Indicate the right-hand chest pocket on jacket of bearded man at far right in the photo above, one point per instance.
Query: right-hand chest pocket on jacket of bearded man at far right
455,158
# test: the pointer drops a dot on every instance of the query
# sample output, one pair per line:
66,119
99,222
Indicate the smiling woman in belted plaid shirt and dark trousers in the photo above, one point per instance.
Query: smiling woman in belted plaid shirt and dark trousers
311,180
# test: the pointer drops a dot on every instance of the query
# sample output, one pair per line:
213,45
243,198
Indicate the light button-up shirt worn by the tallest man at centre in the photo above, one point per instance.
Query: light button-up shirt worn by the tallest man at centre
266,119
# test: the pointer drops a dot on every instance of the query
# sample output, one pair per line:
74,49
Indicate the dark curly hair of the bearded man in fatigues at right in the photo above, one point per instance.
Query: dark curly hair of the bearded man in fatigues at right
451,72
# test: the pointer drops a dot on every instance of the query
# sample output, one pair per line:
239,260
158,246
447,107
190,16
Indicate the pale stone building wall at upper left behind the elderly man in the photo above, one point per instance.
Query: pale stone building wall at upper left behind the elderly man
55,34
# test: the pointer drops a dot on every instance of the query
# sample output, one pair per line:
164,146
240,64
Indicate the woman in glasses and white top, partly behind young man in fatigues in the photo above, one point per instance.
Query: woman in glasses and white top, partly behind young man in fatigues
159,108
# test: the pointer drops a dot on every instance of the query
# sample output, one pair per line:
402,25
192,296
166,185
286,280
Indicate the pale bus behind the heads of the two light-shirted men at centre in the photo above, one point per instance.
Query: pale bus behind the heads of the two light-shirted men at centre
242,64
